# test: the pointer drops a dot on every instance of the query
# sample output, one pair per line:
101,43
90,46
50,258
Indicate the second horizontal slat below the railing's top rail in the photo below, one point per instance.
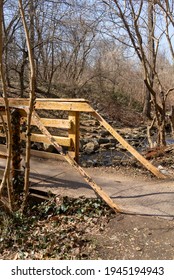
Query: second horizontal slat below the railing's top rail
63,141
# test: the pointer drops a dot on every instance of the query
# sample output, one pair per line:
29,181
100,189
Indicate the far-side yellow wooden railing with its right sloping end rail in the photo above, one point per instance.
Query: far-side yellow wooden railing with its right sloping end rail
74,107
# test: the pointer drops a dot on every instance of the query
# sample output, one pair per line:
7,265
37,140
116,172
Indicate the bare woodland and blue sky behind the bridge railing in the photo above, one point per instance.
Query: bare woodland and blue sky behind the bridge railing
111,52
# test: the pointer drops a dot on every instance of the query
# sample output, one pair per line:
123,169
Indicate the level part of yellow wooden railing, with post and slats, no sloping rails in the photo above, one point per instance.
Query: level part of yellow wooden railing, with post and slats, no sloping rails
70,125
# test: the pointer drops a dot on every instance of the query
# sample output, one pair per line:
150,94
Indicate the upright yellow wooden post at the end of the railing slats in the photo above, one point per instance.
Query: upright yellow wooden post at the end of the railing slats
73,134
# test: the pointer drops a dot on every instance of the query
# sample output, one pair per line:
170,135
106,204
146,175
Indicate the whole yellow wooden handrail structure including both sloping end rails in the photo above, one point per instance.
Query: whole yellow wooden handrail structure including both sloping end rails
74,107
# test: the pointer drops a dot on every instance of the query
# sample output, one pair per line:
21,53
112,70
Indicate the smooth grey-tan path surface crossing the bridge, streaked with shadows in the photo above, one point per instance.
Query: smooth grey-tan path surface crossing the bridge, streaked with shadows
134,195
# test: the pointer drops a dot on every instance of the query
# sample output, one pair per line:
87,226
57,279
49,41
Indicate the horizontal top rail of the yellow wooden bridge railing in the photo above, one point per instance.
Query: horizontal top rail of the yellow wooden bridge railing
80,105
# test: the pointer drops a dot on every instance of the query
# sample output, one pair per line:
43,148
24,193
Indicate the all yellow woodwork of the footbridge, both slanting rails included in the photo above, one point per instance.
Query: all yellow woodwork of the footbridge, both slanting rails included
43,131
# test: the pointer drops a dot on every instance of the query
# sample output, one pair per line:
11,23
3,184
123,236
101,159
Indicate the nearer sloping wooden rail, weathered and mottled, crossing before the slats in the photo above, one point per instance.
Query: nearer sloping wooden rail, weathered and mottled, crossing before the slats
74,164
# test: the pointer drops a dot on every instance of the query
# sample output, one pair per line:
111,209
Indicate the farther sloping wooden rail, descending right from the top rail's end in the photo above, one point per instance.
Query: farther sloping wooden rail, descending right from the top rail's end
128,147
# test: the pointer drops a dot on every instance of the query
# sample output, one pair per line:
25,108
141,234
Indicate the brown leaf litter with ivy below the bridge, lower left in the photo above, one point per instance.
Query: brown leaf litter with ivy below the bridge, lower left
60,228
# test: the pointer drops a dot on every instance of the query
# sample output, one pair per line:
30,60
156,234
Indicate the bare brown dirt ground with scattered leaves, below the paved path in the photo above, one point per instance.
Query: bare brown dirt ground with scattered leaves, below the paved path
128,237
